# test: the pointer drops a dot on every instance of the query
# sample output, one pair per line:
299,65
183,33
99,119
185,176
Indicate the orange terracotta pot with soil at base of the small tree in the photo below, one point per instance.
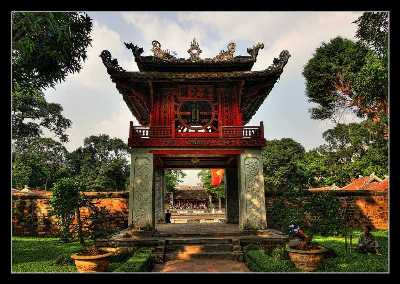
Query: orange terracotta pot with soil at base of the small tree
92,259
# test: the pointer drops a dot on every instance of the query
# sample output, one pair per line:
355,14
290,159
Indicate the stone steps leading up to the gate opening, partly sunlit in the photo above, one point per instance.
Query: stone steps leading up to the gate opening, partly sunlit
195,248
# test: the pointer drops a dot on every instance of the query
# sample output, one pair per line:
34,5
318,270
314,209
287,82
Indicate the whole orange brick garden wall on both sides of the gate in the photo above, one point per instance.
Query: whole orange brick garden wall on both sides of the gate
30,211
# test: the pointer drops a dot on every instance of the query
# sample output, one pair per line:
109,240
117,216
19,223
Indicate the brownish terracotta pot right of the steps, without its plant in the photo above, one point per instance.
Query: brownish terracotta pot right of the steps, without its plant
307,260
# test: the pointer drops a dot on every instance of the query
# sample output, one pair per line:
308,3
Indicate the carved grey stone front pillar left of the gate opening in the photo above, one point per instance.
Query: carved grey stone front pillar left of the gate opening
141,207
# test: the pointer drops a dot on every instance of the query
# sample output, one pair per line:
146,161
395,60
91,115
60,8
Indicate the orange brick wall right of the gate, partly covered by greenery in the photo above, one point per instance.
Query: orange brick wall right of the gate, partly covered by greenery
364,206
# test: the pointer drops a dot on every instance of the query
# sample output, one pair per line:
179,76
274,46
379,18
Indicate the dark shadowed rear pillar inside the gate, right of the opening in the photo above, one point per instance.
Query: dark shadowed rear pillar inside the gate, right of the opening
231,196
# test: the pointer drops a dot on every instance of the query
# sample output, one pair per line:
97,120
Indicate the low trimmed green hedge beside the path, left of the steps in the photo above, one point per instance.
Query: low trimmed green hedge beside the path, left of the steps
141,261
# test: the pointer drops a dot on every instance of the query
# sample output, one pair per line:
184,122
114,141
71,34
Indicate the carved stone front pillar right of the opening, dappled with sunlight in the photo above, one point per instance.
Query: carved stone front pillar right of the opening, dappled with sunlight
252,213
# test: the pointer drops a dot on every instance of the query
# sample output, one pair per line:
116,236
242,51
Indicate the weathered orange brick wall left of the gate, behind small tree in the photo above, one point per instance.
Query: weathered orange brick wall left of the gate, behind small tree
31,212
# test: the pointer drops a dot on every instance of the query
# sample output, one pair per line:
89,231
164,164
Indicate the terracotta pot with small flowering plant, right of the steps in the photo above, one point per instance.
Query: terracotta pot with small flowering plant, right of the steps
305,255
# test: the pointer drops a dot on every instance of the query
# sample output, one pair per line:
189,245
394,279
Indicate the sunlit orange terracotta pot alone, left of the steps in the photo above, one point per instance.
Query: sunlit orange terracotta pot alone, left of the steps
92,263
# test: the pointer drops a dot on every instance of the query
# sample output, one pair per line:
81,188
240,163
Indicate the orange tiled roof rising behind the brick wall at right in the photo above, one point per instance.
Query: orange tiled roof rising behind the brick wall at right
371,182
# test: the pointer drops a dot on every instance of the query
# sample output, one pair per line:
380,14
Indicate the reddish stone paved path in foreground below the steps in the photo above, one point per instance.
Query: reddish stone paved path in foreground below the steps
201,265
